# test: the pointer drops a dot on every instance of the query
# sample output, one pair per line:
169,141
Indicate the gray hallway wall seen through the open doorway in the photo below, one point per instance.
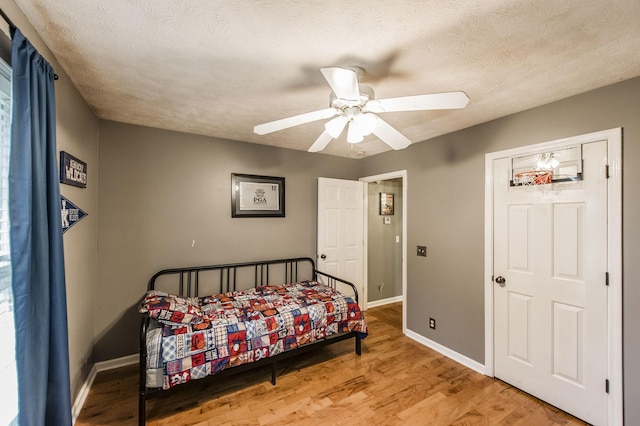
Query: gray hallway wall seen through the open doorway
384,255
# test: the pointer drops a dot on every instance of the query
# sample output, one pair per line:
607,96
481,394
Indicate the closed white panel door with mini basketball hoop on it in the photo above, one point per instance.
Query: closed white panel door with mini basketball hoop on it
550,295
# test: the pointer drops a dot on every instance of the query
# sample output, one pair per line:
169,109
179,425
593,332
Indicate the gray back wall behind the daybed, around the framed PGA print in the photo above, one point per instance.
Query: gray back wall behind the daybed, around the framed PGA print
161,190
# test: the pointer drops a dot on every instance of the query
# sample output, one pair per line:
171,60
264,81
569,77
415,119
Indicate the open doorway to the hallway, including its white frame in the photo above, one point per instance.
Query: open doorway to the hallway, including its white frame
385,240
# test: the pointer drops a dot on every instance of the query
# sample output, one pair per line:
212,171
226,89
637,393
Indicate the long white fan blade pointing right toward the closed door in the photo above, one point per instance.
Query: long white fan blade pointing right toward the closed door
448,100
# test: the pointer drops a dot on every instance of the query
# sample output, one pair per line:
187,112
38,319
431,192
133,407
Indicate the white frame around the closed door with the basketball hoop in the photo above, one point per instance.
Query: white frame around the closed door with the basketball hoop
614,247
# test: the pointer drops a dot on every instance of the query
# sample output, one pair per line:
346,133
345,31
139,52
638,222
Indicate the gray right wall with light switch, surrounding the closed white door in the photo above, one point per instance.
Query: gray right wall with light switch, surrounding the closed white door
446,213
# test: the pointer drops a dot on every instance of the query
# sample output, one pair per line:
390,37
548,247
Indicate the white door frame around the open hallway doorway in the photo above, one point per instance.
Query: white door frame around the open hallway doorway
386,176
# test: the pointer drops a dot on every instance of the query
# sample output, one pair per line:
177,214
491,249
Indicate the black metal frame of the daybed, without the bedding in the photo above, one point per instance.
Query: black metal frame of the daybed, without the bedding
189,284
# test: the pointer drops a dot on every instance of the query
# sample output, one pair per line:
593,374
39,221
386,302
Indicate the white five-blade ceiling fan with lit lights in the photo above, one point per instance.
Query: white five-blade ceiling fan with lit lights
354,104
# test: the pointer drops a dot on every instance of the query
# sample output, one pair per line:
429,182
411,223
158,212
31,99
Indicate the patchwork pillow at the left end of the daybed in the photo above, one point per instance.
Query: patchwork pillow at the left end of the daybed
171,309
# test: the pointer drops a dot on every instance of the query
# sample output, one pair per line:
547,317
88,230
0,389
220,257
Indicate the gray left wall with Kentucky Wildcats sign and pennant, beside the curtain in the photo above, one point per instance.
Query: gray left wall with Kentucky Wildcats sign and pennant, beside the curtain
77,133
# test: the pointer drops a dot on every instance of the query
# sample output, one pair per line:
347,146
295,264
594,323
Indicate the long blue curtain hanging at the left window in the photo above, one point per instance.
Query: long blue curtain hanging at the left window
37,258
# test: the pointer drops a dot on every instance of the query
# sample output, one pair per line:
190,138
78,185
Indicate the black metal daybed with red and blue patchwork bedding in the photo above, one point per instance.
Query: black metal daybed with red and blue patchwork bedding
242,321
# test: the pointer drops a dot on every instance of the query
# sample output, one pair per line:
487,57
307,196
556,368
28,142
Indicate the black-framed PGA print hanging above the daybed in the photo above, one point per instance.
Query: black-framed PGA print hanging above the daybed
257,196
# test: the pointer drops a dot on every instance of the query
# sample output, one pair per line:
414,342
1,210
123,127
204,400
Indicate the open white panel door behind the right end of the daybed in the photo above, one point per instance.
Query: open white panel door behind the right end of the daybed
340,230
